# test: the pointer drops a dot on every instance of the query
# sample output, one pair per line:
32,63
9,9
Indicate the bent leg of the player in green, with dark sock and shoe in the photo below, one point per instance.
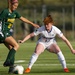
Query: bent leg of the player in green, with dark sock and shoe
11,44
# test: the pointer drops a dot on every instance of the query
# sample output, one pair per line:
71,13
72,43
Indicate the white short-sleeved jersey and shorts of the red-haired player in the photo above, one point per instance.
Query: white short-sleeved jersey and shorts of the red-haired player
47,38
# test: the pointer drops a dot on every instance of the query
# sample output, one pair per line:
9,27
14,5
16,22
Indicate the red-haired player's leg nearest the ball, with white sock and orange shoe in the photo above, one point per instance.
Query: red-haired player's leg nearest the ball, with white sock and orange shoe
39,49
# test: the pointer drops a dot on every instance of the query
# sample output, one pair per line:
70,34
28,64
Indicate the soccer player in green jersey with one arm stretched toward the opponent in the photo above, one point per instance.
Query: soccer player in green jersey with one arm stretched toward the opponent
7,18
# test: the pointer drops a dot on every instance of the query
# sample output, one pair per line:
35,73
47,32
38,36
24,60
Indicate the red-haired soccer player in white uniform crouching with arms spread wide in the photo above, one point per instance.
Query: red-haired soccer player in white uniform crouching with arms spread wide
47,41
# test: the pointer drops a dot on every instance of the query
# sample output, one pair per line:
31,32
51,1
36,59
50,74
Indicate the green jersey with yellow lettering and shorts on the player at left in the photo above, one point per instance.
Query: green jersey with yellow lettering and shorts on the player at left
6,21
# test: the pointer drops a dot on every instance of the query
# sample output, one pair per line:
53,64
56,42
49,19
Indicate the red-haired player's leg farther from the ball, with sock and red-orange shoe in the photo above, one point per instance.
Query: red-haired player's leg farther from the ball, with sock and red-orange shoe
55,49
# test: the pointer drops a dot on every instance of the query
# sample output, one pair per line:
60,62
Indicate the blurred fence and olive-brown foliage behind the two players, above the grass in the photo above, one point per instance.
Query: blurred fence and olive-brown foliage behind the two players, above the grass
62,11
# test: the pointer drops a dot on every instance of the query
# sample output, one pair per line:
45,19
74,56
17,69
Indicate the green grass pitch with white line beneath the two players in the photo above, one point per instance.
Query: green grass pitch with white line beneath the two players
47,63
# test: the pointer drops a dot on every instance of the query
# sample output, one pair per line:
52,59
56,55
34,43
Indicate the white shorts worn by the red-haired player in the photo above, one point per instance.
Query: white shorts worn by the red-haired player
46,45
